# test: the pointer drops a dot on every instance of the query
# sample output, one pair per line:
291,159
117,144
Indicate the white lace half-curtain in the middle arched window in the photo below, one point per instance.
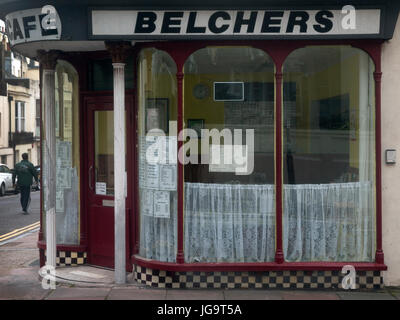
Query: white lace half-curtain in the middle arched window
229,223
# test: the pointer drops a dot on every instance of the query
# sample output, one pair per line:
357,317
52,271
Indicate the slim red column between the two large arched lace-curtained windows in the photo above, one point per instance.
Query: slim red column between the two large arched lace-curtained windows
279,258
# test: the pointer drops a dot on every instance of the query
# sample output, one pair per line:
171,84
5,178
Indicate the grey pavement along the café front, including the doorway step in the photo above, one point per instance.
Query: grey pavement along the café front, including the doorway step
20,280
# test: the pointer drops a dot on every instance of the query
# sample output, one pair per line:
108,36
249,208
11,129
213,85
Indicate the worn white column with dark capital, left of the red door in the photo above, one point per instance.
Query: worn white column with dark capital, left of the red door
48,61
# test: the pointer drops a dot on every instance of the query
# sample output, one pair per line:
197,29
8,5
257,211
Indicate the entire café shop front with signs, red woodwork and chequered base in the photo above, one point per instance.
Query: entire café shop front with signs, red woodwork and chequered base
211,148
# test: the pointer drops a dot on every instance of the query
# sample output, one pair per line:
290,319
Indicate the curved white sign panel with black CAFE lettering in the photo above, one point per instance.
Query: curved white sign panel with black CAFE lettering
33,25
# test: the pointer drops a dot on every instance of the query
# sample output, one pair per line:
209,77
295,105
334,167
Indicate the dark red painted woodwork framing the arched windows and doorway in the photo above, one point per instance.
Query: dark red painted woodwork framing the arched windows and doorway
278,50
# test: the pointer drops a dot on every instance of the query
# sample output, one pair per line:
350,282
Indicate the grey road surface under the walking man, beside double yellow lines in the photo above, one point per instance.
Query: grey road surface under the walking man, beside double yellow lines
11,217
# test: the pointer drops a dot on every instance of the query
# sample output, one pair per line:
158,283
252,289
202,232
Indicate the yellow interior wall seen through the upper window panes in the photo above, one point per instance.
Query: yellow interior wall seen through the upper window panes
336,80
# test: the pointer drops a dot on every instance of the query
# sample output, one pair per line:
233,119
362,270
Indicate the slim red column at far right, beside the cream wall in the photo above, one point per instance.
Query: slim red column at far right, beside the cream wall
379,257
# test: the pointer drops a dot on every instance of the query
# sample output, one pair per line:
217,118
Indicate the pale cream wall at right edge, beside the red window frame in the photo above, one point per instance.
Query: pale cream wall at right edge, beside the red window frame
391,173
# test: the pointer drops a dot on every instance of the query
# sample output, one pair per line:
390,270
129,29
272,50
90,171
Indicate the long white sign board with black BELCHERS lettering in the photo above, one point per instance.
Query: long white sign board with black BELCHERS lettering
134,24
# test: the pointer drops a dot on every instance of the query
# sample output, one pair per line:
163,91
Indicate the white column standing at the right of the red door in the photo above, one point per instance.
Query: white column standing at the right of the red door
119,172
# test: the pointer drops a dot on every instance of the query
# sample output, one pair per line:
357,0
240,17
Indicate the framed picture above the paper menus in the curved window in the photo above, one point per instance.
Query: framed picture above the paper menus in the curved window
157,114
